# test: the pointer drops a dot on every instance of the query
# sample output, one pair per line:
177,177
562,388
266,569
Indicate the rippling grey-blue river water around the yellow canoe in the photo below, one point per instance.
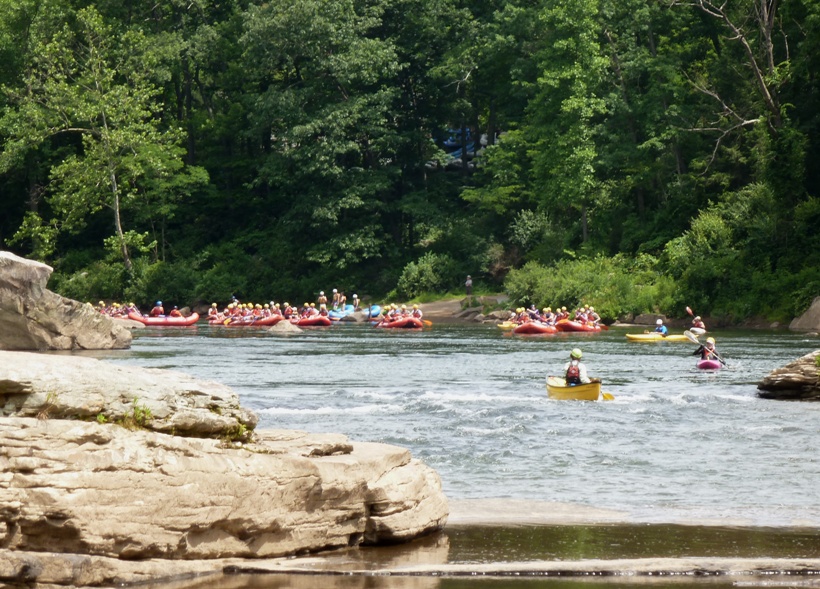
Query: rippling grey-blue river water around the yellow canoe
676,445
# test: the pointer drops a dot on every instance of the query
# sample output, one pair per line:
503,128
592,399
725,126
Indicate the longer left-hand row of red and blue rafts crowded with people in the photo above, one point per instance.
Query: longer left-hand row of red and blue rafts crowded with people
237,314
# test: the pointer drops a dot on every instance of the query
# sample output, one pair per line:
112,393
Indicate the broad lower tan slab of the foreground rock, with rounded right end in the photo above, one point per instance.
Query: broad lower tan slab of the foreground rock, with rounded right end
103,490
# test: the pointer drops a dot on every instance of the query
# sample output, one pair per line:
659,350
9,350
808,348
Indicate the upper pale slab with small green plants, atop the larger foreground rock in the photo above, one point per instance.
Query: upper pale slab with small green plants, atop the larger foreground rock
64,387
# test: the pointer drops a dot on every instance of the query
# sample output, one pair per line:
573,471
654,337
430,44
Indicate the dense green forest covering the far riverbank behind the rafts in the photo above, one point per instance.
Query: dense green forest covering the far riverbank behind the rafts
637,155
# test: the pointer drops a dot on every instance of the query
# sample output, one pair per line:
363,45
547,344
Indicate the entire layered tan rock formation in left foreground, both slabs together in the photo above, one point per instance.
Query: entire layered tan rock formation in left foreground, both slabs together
80,495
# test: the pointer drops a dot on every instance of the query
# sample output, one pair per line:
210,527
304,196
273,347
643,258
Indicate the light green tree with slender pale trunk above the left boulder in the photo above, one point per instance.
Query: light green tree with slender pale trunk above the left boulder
83,89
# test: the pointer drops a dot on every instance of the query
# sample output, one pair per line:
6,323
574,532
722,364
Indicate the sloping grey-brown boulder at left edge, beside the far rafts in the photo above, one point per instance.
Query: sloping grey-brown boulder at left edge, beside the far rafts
34,318
